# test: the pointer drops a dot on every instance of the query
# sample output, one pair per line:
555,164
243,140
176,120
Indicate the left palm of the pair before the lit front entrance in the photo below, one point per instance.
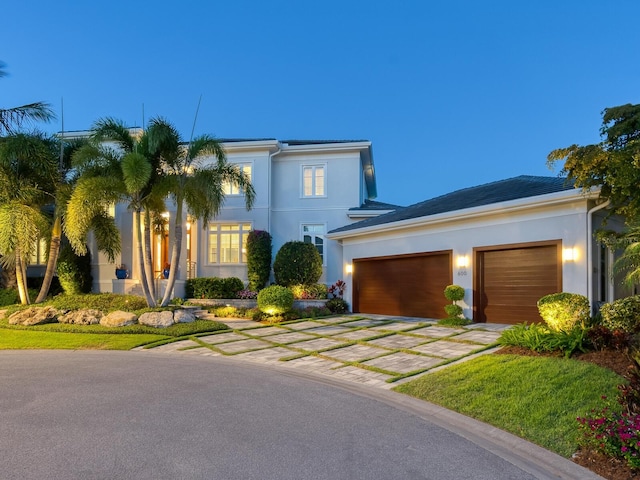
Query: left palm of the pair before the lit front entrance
109,175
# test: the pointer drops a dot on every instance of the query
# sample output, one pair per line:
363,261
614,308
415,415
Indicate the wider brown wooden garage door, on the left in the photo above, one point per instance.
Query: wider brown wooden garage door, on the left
407,285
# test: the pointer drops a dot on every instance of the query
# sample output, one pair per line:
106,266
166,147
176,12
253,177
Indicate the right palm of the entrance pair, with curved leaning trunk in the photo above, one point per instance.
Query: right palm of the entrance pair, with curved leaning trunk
188,180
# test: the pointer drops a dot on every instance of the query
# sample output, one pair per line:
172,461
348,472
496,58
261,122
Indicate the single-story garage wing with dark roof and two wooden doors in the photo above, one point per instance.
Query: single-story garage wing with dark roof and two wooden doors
508,243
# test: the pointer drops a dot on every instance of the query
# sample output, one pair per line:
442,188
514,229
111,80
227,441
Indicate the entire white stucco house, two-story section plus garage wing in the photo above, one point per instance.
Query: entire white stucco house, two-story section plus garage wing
508,243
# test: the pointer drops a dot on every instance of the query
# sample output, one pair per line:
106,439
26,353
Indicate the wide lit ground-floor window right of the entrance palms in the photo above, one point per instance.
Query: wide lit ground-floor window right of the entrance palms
227,242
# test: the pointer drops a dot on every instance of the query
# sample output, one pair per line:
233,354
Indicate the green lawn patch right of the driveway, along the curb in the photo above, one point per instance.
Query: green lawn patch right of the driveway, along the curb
536,398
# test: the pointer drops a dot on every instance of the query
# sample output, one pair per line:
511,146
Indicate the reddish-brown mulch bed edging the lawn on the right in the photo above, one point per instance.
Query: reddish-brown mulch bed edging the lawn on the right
618,361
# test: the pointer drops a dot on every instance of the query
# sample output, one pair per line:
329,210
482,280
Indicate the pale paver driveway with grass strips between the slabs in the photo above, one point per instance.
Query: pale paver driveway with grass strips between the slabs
374,350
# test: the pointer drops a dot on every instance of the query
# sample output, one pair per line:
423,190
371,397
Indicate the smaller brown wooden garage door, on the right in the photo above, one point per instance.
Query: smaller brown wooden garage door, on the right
510,281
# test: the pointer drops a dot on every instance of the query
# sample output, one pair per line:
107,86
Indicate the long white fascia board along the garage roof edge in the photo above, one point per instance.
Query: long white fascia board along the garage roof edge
510,207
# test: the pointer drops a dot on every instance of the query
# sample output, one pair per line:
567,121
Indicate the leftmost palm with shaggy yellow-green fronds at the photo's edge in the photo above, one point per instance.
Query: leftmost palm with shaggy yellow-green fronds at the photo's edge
26,165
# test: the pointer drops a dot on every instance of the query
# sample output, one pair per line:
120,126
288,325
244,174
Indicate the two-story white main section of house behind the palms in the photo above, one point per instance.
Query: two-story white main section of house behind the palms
303,190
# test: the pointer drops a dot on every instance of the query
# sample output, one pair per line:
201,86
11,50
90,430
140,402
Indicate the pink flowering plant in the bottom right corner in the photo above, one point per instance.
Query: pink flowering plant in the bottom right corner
613,433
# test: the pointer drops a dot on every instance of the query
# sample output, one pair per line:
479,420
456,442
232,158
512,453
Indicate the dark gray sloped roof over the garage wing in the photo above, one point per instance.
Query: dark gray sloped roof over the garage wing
495,192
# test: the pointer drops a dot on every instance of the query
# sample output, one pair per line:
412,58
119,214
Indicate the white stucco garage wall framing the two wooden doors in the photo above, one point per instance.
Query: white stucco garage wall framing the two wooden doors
567,223
